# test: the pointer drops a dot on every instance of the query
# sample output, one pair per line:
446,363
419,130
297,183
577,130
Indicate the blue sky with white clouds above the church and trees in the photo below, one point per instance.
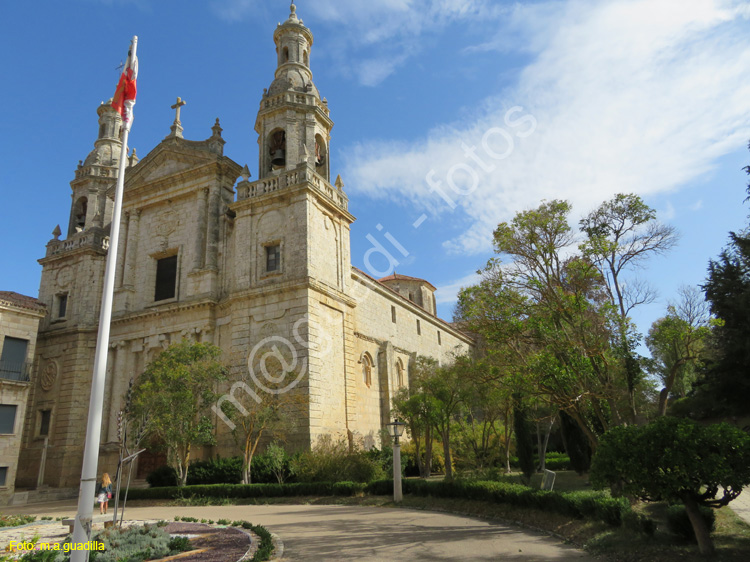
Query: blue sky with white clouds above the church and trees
651,97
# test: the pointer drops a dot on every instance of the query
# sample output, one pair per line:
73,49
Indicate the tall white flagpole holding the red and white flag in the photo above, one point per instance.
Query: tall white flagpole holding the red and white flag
87,489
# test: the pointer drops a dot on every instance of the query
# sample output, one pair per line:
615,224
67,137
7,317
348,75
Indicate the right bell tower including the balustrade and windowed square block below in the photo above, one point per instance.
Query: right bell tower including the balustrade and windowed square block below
292,223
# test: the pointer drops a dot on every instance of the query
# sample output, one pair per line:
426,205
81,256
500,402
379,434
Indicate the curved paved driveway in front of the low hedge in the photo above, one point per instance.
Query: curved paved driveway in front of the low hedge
329,532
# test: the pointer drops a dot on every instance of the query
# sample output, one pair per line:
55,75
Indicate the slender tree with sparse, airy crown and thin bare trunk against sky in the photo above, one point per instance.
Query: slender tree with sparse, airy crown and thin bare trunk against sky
621,234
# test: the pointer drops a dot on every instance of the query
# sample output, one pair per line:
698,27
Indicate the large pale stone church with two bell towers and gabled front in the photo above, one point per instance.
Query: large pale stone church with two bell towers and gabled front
209,255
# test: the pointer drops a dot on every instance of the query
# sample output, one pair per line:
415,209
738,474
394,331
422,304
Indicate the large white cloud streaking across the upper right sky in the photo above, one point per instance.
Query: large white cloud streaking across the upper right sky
629,97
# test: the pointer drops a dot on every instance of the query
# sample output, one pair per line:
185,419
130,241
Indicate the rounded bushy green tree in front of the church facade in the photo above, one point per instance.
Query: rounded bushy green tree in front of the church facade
175,393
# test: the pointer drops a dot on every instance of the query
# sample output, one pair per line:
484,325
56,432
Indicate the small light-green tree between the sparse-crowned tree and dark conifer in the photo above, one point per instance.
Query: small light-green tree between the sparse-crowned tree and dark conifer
677,341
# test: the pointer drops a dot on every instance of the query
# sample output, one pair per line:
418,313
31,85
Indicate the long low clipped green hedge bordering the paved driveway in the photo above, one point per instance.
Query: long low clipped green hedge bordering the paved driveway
583,504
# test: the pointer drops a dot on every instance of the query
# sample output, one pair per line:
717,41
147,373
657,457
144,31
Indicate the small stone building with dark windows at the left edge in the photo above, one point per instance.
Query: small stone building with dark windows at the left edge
19,322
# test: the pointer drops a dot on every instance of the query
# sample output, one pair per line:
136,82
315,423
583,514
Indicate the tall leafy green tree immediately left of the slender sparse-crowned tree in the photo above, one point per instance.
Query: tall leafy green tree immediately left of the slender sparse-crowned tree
565,314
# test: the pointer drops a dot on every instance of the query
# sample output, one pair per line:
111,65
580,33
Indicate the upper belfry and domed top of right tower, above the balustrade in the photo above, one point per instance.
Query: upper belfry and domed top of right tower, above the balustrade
293,124
